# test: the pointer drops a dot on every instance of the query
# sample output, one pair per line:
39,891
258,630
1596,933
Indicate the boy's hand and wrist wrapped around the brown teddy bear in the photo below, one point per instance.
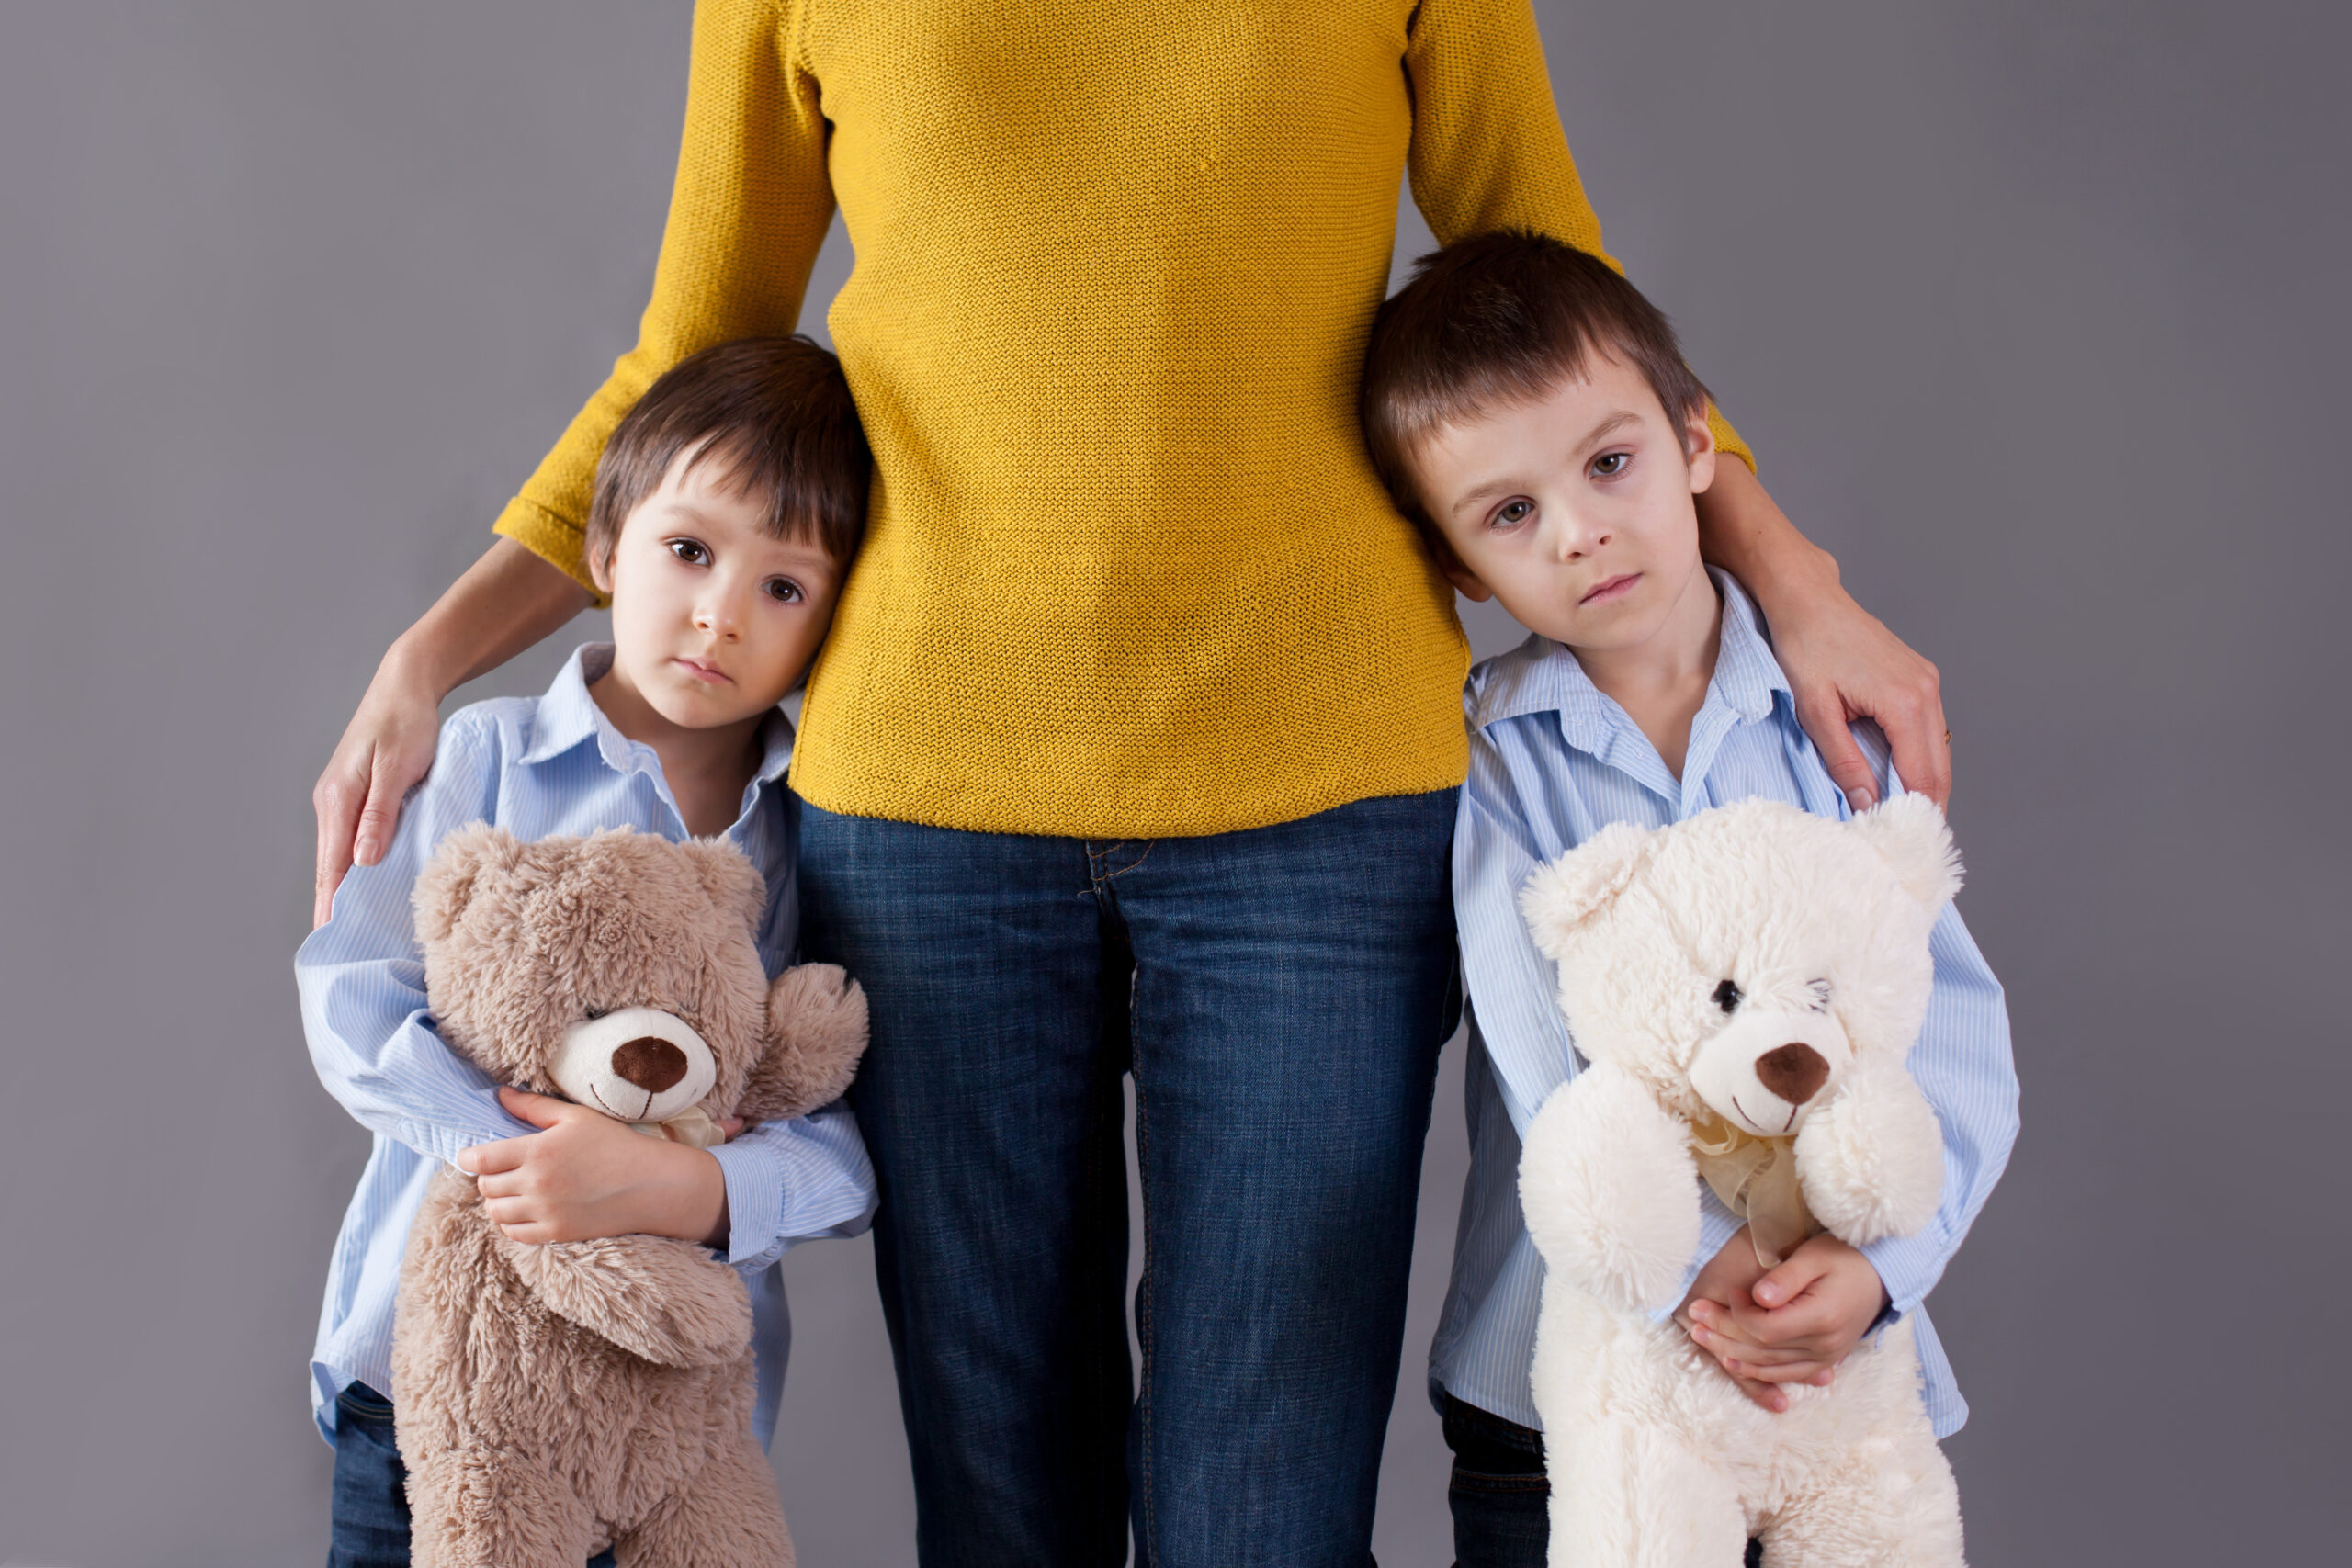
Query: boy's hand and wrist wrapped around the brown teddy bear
592,1177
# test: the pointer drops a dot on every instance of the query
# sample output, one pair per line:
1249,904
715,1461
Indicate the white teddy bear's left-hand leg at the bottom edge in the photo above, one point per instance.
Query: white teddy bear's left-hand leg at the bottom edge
1631,1496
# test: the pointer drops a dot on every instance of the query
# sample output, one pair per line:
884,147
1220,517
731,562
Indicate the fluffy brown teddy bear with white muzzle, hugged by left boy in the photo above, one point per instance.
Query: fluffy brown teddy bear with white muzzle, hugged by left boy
554,1400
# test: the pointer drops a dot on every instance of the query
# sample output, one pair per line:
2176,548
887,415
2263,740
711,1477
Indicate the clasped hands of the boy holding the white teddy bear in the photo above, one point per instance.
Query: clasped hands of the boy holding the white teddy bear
1793,1325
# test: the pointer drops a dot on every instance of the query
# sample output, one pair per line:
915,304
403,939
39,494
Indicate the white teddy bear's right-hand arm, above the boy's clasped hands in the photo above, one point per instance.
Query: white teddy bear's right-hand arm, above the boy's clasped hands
1871,1160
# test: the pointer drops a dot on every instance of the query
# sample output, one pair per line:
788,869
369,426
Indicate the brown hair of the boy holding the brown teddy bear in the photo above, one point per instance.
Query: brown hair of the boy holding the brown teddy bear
775,413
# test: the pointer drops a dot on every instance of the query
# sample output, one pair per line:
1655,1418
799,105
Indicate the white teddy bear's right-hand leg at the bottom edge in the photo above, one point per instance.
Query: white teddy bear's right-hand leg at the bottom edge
1887,1506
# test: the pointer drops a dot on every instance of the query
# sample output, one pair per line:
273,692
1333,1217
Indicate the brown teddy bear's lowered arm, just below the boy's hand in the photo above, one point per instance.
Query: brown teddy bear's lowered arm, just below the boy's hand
653,1296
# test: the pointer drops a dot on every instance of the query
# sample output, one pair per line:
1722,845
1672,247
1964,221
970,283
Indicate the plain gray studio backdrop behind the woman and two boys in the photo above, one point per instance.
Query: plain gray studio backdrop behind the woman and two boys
2033,309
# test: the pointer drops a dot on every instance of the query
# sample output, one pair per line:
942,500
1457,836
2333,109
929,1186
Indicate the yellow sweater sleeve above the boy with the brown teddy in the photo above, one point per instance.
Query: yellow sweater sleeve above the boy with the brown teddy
749,215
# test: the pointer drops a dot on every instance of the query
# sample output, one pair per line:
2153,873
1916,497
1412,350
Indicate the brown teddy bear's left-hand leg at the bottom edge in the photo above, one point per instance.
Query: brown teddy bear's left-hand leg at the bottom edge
479,1508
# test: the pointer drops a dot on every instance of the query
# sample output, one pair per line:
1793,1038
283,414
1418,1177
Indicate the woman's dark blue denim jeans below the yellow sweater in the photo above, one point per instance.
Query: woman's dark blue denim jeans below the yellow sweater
1281,998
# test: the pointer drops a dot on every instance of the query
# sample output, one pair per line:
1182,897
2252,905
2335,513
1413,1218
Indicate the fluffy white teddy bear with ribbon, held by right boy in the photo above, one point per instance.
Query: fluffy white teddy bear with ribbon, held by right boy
1746,989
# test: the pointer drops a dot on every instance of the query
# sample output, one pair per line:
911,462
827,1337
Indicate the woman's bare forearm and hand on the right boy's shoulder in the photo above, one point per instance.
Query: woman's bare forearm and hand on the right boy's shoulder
1840,662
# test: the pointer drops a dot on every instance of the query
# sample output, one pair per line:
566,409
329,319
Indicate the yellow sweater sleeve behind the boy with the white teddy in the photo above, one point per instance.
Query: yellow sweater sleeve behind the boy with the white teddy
1488,145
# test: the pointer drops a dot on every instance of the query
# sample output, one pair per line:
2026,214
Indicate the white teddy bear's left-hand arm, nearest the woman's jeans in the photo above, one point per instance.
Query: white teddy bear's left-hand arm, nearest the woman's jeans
1610,1191
